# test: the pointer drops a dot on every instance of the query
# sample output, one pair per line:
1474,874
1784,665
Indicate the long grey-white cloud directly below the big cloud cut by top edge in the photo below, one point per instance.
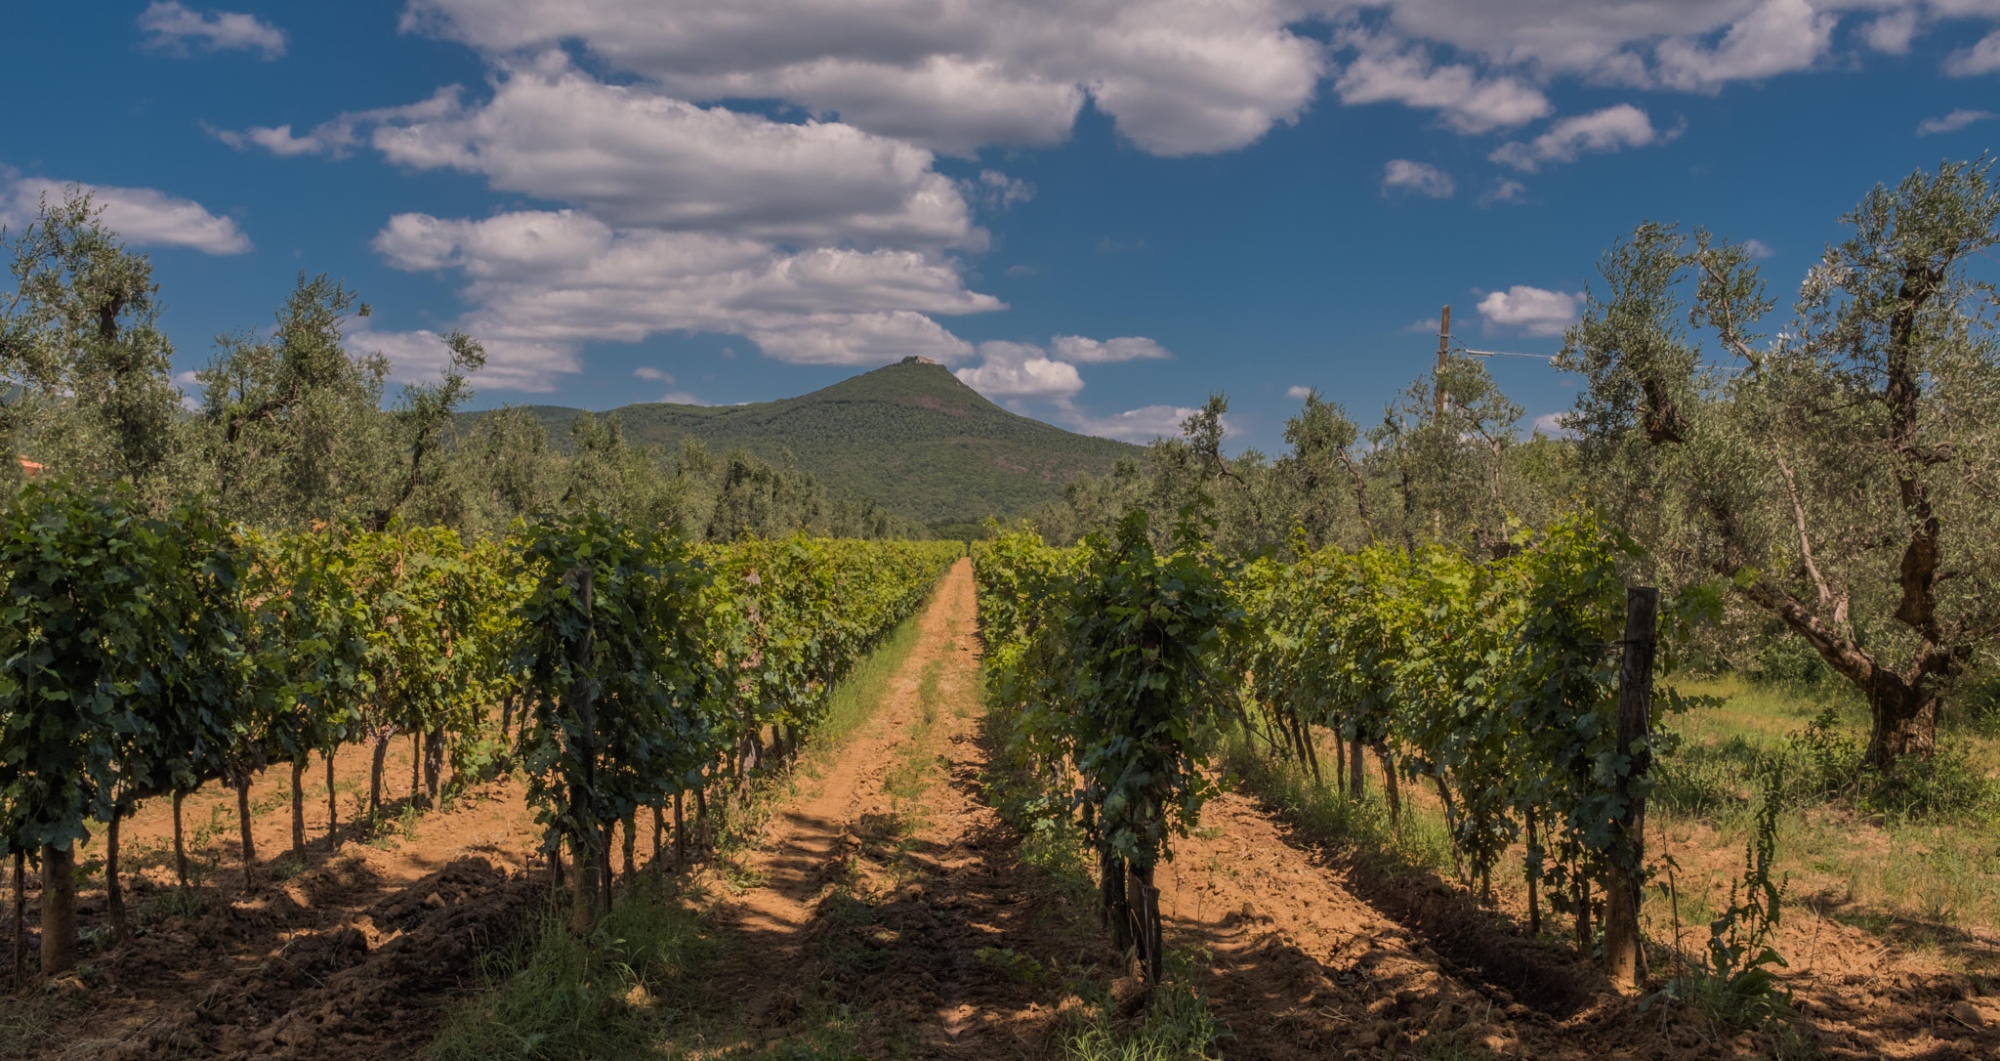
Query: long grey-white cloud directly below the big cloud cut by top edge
643,159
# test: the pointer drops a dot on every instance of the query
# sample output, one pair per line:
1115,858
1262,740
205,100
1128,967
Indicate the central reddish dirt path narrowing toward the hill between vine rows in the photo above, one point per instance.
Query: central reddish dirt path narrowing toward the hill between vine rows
891,886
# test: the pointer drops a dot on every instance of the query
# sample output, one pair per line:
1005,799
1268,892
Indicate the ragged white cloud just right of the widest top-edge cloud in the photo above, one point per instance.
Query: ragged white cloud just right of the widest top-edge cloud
1391,71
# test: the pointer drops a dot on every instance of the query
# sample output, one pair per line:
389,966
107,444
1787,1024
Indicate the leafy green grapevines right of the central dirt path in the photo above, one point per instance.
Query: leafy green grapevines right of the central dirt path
1495,682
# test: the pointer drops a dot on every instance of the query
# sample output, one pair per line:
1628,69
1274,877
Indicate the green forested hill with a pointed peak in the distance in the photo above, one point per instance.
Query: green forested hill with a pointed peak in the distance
907,435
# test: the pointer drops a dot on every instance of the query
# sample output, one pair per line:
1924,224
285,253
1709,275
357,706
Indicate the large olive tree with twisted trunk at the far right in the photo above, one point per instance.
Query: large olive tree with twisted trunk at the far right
1841,475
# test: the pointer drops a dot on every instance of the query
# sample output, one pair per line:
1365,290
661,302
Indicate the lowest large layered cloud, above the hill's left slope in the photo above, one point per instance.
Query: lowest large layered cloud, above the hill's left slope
549,281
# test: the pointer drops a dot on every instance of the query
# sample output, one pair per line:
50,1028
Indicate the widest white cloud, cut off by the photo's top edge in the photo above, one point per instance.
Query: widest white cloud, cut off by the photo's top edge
1179,77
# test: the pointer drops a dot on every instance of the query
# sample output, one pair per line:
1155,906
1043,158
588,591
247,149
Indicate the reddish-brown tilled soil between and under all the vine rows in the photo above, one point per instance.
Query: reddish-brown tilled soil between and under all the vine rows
887,886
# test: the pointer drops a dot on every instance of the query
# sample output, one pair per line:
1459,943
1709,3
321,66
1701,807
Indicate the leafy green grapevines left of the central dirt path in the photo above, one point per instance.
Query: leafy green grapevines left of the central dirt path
623,668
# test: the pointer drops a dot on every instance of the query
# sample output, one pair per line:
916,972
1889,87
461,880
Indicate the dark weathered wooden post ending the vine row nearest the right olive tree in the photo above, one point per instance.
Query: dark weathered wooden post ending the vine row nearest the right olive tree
1623,950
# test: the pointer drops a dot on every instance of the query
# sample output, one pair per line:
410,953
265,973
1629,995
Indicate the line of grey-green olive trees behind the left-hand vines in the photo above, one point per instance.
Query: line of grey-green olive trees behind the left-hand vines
295,425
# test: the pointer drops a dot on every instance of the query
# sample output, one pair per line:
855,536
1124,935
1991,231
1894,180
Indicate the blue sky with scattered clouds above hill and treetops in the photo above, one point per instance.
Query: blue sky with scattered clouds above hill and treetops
1093,211
